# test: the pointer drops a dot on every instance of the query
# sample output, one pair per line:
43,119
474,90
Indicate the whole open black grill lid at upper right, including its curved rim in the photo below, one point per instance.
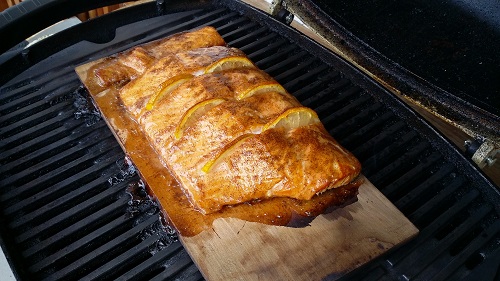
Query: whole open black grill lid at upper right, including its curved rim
427,52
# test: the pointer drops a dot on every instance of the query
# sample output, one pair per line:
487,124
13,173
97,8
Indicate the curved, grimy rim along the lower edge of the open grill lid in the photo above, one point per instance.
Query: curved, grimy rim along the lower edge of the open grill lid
472,120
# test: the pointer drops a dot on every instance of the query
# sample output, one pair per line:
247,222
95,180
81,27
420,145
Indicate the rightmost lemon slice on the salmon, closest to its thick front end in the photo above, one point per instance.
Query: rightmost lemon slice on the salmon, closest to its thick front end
293,118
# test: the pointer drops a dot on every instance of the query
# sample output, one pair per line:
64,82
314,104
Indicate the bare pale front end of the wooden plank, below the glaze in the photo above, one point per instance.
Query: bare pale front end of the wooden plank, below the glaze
333,244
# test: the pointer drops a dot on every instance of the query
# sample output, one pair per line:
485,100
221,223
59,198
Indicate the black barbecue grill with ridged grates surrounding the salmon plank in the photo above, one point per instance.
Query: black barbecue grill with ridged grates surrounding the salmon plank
73,207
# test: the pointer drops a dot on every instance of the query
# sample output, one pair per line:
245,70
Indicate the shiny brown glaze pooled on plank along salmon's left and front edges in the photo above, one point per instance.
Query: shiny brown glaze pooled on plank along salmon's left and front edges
176,206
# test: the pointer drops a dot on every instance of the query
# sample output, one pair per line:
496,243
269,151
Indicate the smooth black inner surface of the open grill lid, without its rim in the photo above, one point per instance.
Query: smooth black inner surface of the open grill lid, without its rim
451,44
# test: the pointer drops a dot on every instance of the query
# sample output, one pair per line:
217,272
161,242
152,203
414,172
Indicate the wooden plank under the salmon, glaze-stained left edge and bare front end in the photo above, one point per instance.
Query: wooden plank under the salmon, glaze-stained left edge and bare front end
228,248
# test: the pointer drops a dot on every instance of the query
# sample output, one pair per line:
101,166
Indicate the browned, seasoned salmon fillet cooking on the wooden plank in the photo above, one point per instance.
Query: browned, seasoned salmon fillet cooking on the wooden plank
219,133
